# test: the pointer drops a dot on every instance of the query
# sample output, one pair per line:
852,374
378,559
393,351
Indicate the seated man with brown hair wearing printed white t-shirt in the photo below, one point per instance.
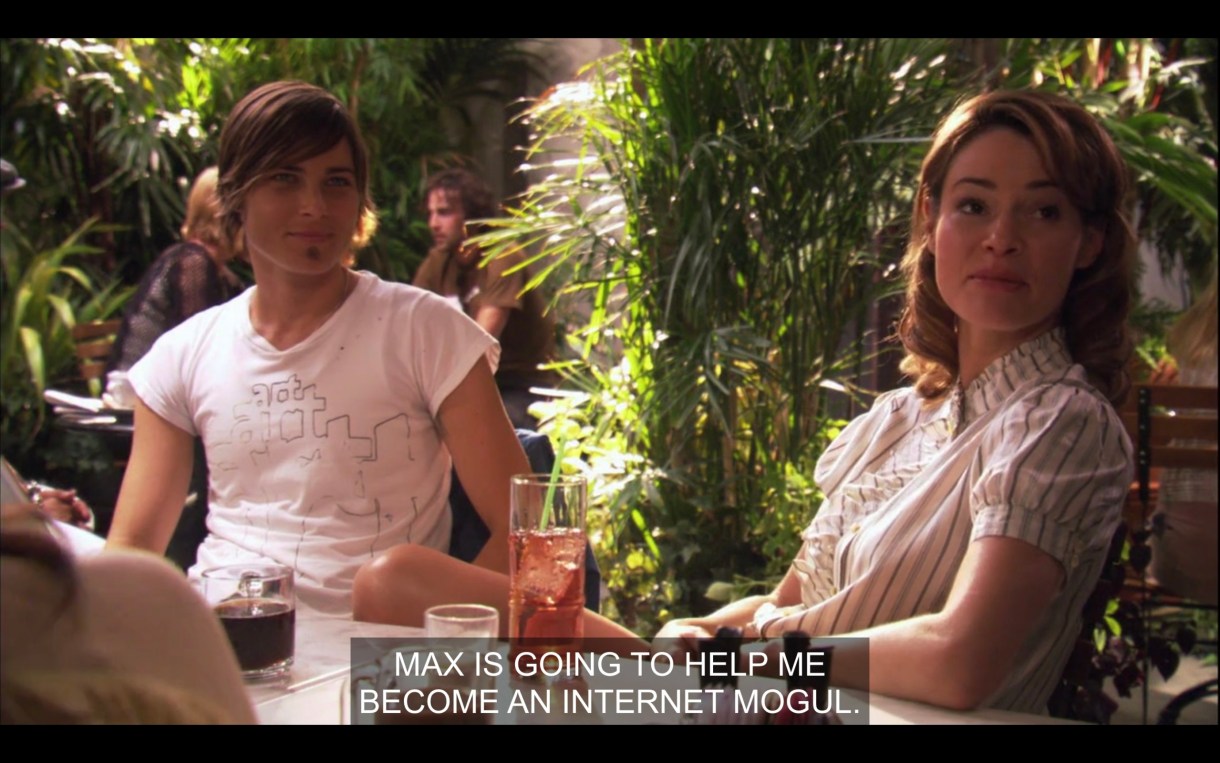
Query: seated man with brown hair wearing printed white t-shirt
331,405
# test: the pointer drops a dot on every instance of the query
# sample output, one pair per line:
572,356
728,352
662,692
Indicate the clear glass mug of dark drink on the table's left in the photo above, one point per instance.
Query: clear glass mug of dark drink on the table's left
258,609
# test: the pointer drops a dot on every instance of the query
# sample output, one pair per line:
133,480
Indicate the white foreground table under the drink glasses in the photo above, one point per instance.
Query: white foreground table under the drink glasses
314,692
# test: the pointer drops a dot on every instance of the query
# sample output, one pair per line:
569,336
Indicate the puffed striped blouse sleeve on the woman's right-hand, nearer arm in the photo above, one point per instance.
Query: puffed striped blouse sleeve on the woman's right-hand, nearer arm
1057,476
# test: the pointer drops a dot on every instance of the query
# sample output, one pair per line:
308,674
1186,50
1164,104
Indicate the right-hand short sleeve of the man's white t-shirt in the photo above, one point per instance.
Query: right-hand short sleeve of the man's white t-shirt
450,346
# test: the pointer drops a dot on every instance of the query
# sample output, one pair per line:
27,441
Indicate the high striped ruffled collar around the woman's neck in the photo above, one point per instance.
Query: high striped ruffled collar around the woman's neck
1003,377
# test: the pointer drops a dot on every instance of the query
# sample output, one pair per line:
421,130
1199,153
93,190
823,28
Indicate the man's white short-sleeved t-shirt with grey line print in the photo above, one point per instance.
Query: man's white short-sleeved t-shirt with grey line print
325,455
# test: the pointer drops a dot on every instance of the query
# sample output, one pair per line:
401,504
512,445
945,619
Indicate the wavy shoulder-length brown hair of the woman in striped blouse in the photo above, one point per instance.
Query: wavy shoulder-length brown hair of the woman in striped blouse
1083,161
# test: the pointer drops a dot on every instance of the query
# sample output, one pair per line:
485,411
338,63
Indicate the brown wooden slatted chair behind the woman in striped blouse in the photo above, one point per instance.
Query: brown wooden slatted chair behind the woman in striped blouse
1172,428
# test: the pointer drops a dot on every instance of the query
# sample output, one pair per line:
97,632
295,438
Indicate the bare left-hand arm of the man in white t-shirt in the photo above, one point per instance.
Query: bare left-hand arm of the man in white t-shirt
154,486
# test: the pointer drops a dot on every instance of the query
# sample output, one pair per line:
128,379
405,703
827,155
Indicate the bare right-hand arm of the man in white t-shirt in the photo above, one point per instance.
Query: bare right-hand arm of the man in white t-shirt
486,454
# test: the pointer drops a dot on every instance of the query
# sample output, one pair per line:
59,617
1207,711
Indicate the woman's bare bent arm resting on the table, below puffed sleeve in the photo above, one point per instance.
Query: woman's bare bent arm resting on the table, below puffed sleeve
960,656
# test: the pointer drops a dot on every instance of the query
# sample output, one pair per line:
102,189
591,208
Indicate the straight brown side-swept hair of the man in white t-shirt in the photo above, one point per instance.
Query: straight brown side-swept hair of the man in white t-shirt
278,125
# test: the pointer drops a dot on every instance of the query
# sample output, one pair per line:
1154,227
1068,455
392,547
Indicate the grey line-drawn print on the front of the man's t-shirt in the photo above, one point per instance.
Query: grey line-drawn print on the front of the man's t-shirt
287,427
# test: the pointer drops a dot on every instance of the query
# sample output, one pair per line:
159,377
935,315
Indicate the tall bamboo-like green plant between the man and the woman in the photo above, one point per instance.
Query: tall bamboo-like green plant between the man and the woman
714,208
